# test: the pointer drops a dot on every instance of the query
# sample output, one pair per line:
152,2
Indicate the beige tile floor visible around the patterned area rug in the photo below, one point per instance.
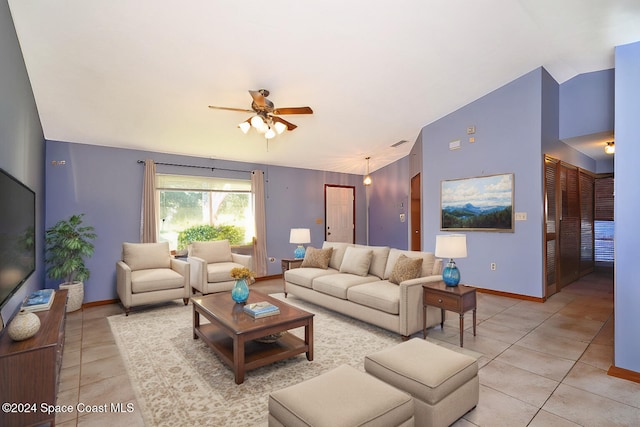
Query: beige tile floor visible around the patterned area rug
543,364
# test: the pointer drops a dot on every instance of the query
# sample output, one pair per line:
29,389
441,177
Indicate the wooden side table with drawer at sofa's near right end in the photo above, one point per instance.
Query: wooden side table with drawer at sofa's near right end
459,298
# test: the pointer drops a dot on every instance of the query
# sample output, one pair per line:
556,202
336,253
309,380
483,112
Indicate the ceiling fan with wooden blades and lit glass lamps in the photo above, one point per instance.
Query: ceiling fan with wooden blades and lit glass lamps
266,118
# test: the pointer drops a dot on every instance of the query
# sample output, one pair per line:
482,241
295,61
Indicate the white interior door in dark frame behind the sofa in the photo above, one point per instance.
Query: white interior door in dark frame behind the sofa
339,213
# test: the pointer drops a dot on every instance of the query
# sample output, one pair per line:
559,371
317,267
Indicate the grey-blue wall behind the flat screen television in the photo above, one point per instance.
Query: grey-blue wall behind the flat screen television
21,141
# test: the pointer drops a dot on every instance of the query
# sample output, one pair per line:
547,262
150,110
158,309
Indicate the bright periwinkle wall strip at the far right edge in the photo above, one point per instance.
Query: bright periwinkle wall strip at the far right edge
627,206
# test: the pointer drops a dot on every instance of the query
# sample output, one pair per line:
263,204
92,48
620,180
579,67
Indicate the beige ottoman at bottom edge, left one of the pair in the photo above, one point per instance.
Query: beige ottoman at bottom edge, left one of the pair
343,397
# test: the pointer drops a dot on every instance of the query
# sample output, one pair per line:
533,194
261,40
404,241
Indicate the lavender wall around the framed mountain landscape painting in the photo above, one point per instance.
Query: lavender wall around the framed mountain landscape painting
508,125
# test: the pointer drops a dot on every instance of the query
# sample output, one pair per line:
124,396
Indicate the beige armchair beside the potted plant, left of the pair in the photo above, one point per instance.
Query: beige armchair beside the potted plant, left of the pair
148,274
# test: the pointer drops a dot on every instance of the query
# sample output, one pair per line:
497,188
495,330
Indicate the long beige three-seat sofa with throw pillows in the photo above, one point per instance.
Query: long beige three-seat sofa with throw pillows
370,283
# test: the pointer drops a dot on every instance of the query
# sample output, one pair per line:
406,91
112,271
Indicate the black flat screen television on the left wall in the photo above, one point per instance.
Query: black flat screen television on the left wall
17,235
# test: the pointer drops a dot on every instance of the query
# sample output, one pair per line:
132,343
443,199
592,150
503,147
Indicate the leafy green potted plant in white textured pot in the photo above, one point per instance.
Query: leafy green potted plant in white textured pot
68,243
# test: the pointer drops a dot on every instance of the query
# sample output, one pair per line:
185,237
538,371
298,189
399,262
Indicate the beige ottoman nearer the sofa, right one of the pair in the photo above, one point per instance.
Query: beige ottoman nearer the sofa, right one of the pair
443,383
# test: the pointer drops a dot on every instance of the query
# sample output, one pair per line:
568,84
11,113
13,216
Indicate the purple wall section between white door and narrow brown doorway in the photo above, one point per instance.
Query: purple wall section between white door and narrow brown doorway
388,198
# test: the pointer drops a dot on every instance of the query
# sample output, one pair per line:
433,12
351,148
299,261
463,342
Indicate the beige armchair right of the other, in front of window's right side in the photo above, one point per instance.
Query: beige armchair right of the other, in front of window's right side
211,264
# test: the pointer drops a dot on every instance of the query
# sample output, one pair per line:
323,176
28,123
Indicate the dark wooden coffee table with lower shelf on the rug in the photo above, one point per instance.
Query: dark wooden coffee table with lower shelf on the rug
231,332
